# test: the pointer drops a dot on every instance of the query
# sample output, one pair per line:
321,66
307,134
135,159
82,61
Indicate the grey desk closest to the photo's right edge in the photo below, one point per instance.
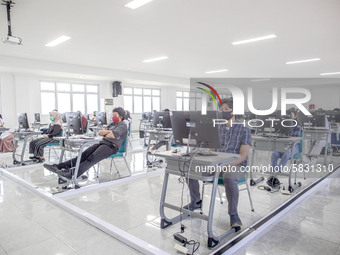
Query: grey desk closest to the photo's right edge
316,135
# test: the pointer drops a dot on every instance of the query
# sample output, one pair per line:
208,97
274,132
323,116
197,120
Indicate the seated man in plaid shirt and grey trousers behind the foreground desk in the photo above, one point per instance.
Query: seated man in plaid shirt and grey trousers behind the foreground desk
234,139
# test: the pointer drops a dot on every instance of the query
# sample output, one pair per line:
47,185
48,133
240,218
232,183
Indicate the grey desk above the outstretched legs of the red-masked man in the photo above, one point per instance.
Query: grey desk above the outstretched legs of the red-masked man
75,145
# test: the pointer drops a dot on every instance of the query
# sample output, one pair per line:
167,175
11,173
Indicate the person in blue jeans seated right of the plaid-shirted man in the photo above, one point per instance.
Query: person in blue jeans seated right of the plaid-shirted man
296,131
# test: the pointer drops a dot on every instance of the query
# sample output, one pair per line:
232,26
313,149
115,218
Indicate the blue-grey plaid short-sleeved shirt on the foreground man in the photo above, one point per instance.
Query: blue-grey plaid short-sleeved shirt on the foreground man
232,138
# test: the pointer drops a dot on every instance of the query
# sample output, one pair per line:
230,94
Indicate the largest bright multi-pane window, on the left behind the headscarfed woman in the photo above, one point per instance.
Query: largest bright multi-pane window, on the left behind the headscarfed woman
69,97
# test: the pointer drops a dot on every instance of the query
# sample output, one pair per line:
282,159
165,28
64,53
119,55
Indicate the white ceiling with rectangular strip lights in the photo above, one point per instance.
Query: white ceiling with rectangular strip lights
196,35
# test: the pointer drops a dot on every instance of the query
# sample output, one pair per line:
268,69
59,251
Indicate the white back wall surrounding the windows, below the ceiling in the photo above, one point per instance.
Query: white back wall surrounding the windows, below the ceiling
21,93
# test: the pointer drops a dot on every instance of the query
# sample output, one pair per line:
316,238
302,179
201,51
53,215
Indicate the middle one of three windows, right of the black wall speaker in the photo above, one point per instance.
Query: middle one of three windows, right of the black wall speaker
138,100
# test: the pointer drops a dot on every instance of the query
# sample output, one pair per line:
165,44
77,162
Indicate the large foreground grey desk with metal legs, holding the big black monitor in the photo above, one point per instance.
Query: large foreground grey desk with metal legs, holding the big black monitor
173,161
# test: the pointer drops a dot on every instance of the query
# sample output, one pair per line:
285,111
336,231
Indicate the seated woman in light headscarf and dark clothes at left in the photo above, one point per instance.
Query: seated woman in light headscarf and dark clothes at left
36,147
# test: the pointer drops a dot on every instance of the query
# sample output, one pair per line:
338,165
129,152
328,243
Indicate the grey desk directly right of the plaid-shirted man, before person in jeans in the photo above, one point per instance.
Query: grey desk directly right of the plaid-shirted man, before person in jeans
274,144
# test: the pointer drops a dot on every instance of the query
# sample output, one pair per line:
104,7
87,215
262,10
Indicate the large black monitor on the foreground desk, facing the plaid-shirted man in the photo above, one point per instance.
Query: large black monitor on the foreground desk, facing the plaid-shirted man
200,127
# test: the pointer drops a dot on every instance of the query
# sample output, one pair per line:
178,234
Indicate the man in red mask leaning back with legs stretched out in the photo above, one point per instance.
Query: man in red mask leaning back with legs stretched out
113,137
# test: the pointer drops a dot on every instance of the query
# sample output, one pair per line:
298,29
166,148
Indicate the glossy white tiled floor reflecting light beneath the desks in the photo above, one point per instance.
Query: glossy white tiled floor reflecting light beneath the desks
132,204
